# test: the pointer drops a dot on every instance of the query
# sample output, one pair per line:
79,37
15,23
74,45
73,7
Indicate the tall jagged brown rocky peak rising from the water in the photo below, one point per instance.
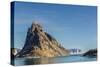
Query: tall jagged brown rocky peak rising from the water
41,44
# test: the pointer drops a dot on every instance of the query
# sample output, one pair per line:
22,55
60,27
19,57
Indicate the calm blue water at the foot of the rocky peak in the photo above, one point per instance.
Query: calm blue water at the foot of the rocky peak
65,59
